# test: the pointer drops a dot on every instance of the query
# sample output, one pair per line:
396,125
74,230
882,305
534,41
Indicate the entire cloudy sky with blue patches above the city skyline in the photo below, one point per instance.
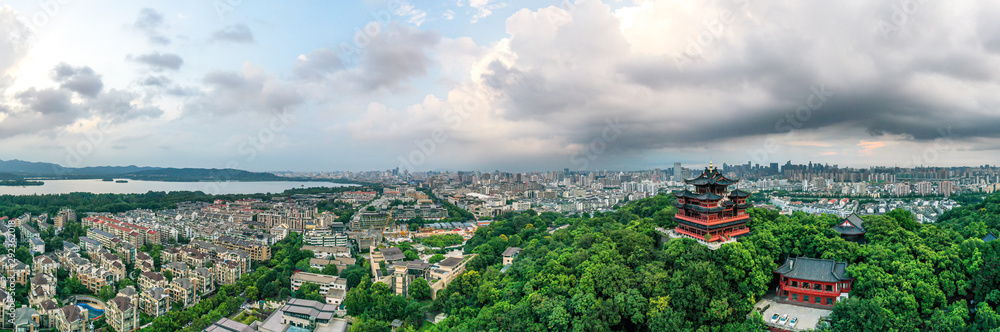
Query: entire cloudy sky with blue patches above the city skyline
493,84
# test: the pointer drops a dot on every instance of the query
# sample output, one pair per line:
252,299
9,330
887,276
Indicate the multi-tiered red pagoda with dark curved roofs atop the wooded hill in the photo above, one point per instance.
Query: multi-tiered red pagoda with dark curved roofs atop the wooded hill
711,209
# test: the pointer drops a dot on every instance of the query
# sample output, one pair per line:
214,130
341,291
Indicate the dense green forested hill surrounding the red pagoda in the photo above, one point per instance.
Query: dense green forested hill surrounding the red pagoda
610,272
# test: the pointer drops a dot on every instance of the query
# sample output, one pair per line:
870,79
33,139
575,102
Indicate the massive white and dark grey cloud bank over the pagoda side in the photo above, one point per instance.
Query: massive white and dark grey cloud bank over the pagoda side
756,81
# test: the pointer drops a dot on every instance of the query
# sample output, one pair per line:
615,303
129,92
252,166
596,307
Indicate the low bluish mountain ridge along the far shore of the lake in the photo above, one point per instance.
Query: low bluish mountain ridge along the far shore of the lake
18,169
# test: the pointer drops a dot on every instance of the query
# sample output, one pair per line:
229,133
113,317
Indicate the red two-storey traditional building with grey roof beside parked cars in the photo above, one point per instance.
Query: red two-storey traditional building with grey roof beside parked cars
813,281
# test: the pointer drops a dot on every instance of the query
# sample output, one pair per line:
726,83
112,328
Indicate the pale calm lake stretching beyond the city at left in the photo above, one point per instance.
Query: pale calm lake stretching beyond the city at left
98,186
